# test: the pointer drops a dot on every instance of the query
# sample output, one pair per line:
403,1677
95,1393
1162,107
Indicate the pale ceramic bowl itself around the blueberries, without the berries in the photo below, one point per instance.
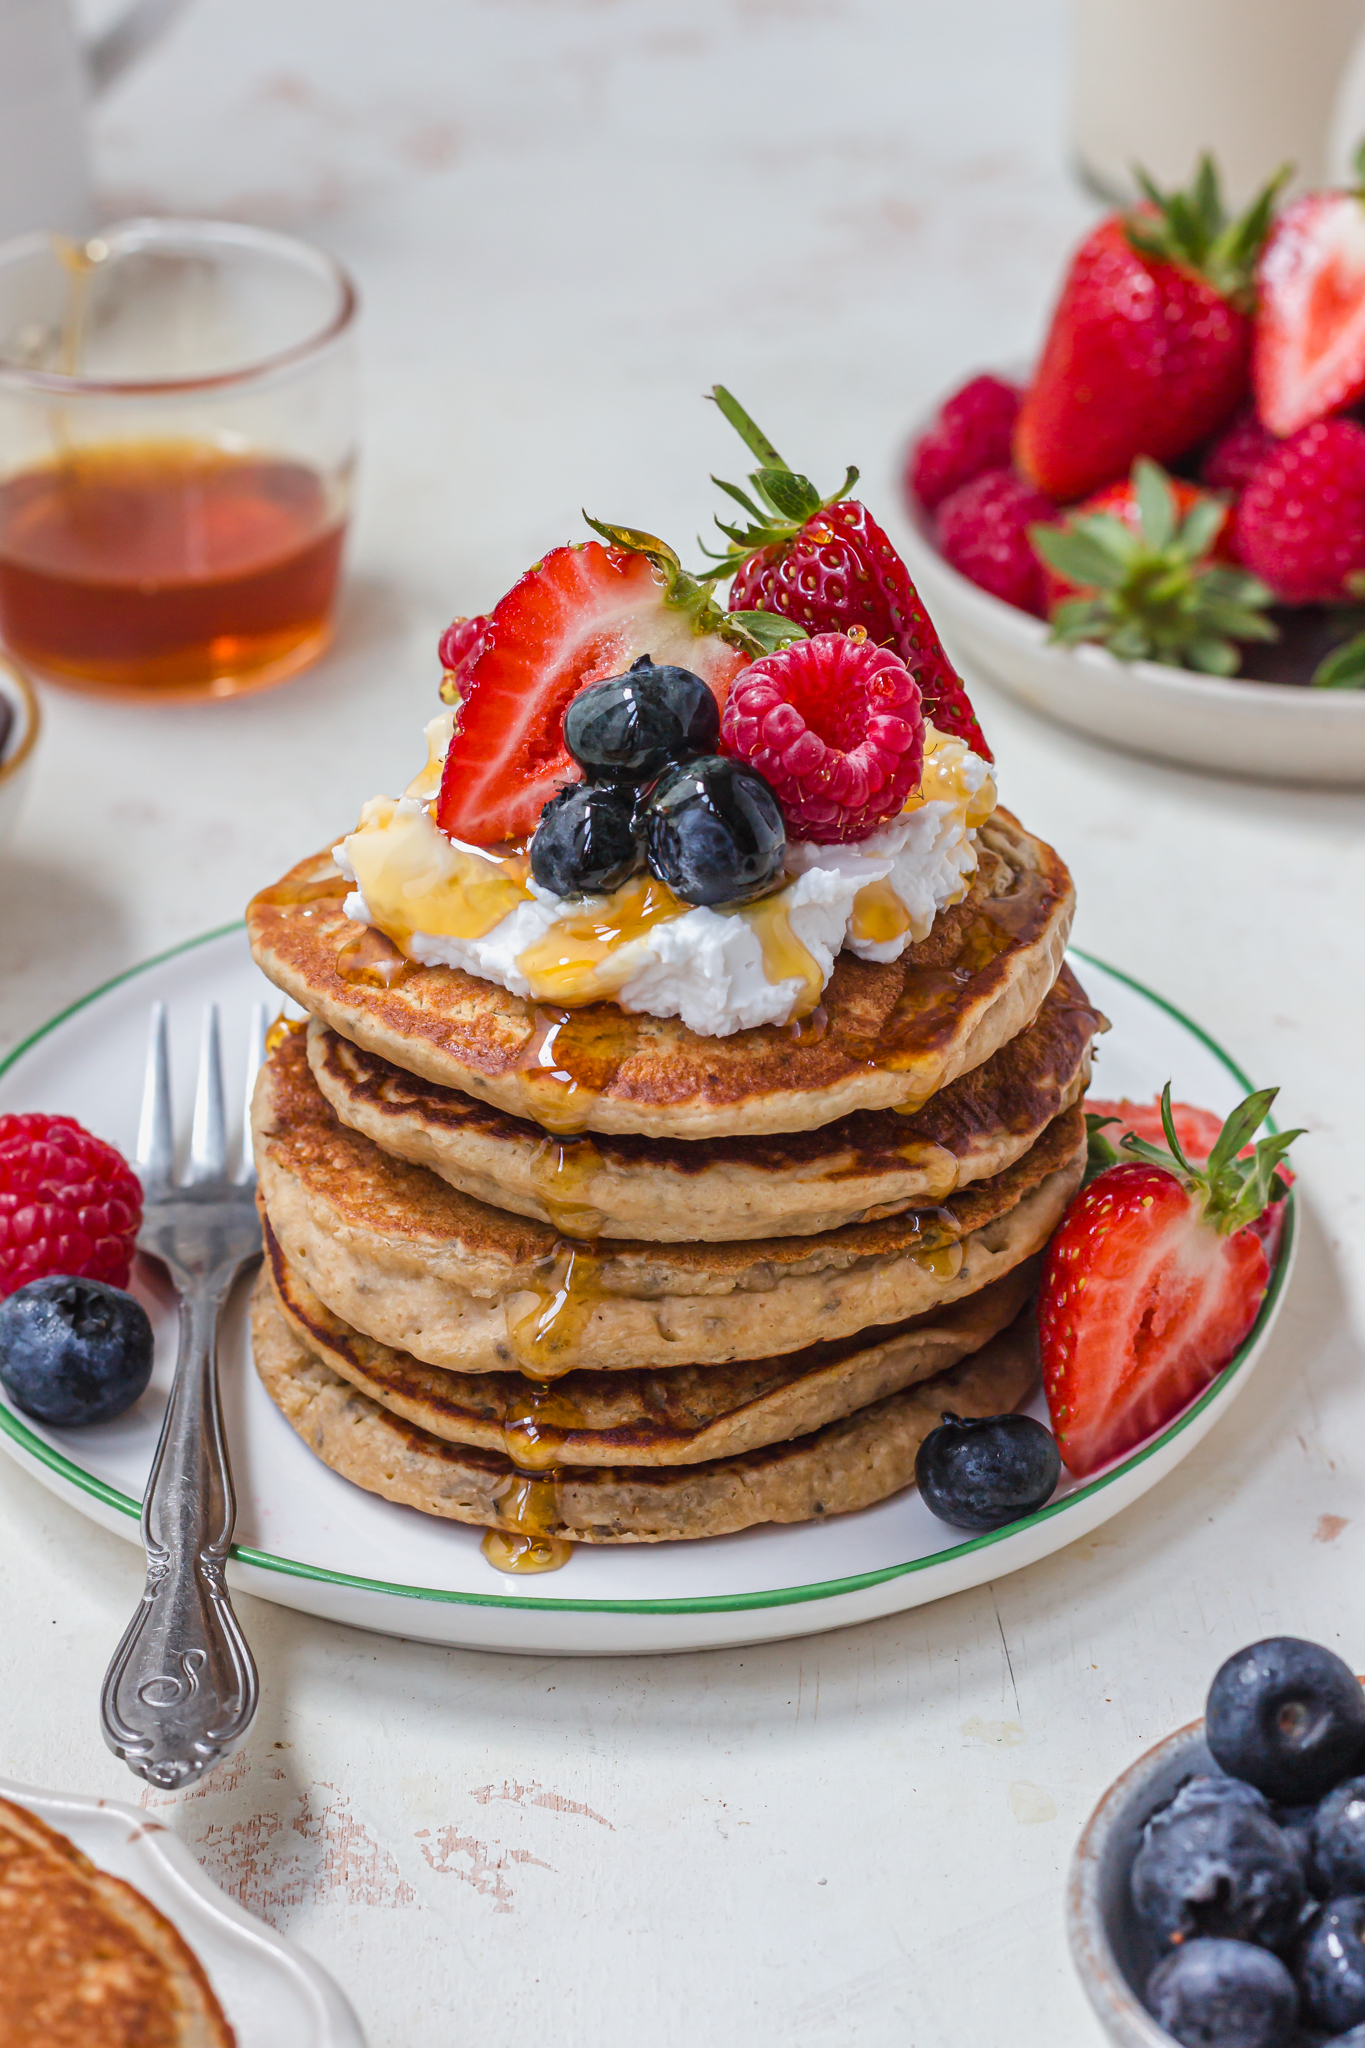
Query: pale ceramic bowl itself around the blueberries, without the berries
1112,1953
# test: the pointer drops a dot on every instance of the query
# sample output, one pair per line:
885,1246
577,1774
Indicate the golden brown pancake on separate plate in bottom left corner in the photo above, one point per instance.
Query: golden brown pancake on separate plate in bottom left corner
85,1959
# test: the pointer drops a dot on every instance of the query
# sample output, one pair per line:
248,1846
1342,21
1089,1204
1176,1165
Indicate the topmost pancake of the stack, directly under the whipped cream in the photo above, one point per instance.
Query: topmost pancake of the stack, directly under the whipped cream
885,1035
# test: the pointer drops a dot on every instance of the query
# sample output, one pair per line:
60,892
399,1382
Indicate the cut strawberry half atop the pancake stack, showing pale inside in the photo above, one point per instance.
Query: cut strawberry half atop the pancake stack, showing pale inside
582,613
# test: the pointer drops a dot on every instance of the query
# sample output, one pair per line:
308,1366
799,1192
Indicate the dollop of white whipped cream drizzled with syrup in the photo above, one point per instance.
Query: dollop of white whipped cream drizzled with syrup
717,970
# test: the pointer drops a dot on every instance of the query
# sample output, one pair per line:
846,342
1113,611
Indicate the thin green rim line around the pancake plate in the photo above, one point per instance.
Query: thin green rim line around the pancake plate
711,1603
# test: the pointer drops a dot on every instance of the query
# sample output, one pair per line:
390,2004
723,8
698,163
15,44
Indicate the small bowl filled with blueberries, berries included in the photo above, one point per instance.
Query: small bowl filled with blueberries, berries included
1219,1891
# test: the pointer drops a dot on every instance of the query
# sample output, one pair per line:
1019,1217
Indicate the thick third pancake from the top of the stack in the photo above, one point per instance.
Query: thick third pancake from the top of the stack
421,1267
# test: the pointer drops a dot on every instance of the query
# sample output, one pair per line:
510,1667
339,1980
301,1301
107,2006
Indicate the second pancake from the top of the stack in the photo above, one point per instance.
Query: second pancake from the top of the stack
793,1185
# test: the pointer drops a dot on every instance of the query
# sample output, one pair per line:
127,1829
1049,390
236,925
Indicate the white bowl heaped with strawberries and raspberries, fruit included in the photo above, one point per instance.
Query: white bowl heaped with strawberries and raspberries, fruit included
1159,536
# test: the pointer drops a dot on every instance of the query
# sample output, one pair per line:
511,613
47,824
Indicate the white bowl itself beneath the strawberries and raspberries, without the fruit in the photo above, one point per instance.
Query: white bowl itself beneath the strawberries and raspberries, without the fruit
1272,730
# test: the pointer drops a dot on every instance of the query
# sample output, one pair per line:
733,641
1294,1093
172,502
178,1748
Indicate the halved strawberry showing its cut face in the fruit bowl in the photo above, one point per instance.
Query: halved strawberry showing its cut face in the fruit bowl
1309,355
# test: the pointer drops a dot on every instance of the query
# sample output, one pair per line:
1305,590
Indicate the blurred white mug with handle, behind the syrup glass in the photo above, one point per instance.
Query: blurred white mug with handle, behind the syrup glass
48,77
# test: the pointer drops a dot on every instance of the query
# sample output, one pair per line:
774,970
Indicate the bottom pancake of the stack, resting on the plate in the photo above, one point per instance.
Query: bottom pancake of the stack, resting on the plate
842,1467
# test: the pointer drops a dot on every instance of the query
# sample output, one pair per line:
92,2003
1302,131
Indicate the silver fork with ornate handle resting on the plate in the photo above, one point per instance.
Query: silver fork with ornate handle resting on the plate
181,1691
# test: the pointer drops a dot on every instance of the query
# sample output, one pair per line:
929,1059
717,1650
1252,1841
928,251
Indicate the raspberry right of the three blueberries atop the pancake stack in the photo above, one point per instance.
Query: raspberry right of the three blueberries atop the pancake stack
836,728
